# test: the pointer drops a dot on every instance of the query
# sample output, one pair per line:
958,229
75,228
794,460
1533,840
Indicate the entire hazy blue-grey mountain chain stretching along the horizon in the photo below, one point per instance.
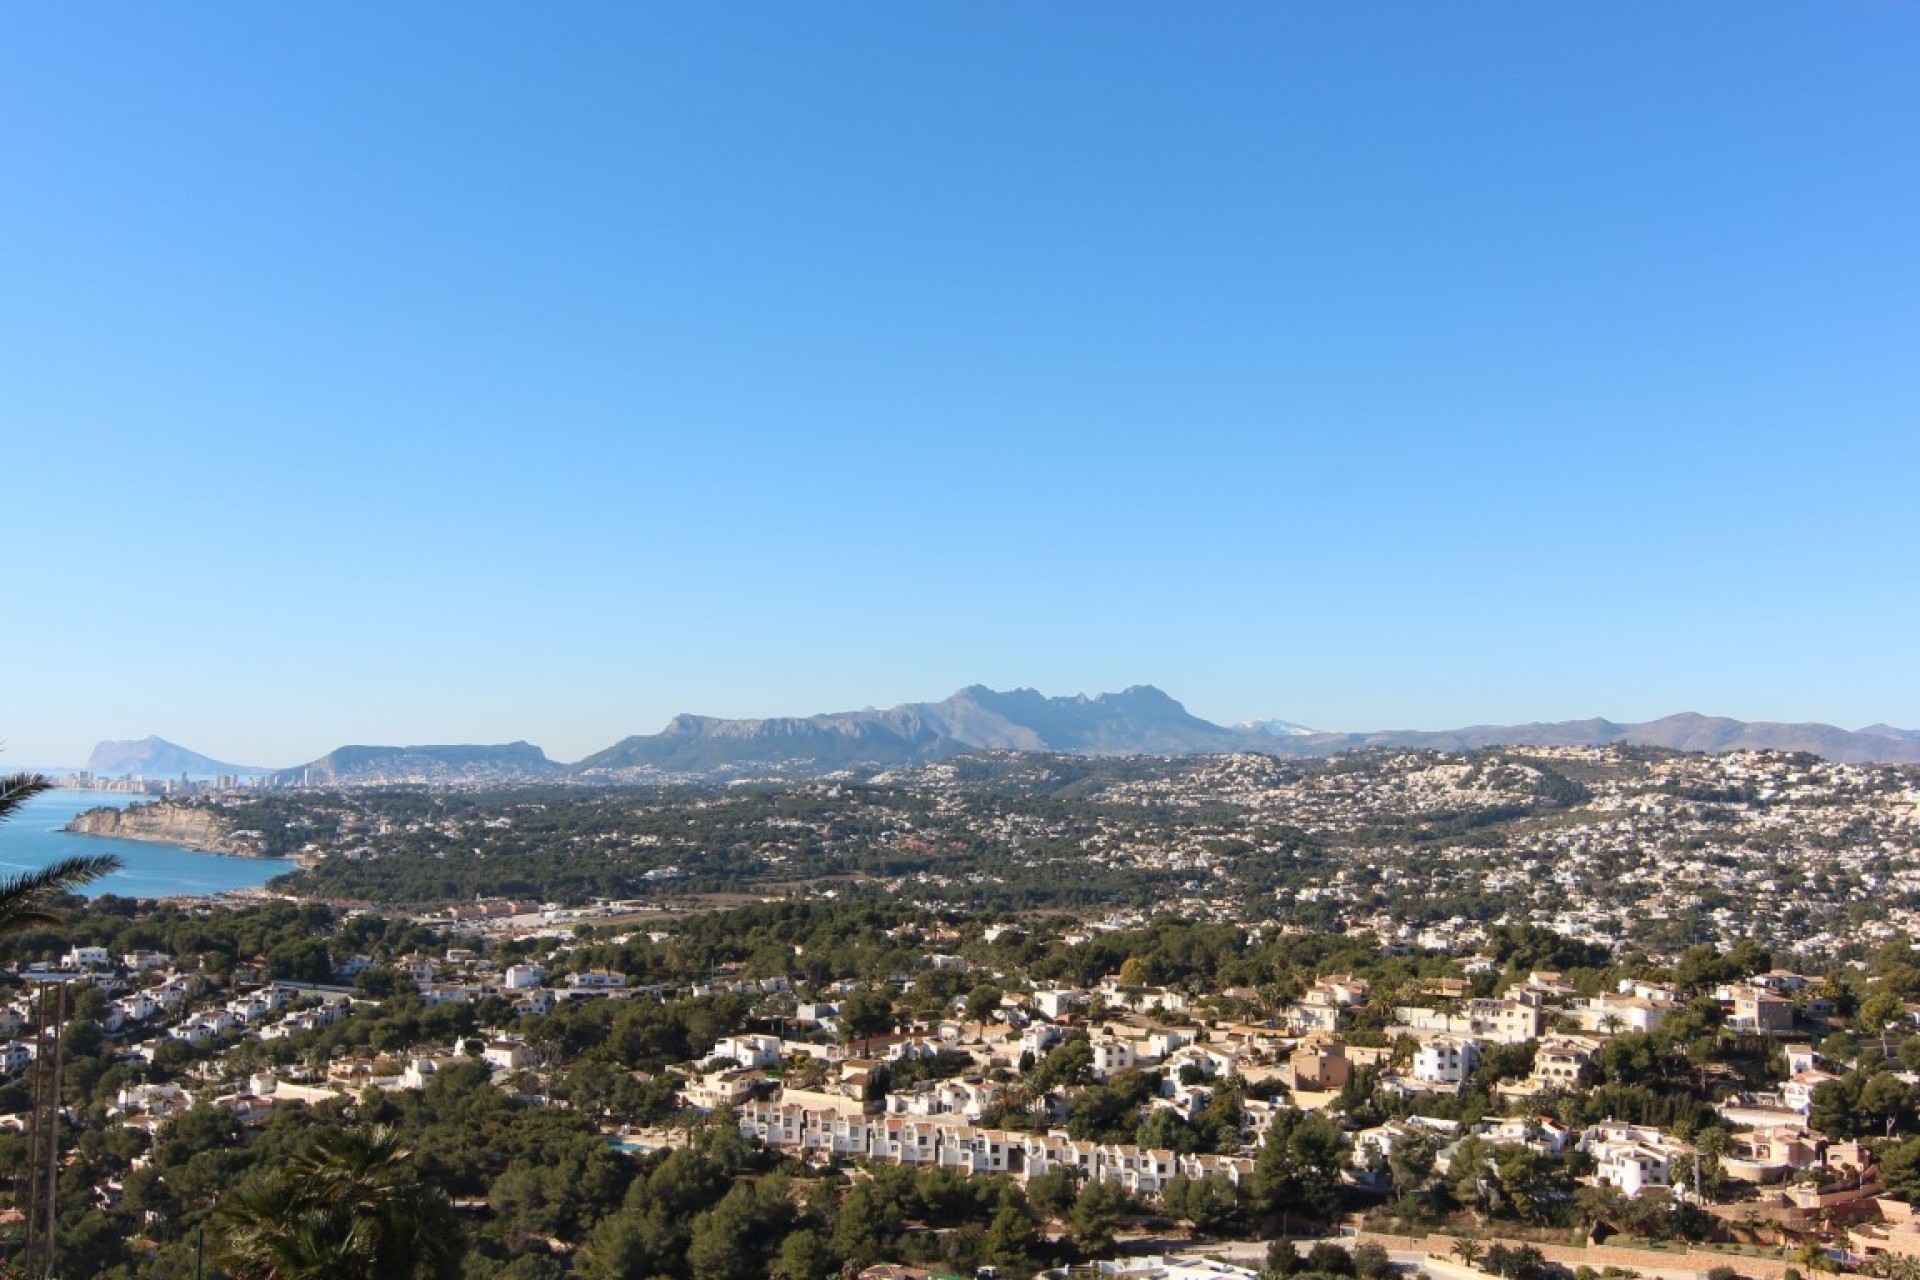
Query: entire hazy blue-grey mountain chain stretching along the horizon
1134,723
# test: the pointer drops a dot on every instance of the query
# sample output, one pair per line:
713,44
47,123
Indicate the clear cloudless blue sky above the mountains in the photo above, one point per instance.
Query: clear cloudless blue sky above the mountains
489,371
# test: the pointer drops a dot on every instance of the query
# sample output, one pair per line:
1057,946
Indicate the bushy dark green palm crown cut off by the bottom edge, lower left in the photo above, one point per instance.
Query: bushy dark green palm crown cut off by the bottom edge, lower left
347,1208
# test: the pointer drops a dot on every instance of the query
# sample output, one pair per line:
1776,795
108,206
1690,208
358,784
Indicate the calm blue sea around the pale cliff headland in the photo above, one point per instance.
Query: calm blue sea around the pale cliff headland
34,840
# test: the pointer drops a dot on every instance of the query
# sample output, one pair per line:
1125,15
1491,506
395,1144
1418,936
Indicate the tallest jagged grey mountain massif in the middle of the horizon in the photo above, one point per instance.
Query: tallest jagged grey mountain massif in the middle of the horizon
1141,721
